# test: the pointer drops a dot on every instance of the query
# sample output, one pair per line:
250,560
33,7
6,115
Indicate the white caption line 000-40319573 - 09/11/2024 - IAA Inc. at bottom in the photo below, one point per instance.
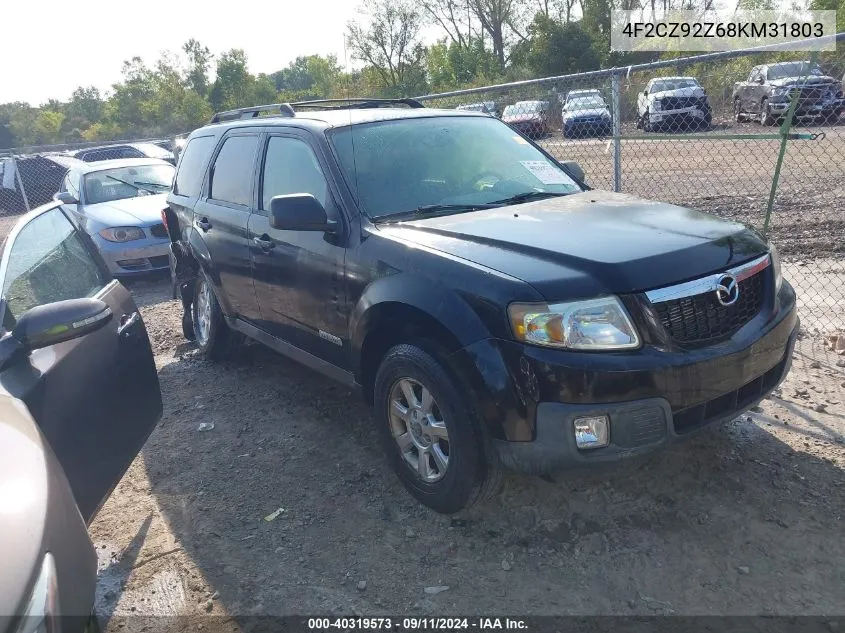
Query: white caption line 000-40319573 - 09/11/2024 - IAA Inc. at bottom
416,624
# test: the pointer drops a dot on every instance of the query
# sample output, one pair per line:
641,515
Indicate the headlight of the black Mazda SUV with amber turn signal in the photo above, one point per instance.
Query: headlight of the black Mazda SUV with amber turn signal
594,324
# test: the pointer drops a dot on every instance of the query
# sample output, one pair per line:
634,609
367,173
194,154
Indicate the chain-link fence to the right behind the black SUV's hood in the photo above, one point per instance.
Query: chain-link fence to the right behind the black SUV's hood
707,133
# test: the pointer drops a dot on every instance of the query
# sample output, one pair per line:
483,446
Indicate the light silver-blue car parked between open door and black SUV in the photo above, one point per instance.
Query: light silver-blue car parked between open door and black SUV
119,203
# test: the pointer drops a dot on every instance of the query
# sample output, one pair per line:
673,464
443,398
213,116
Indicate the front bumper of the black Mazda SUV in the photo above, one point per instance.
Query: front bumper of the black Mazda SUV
652,396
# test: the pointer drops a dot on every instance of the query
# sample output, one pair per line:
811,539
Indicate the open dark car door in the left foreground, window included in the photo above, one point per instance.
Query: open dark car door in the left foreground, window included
96,398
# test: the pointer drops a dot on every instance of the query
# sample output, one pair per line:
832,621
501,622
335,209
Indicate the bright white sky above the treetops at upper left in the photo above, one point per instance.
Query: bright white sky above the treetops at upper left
51,47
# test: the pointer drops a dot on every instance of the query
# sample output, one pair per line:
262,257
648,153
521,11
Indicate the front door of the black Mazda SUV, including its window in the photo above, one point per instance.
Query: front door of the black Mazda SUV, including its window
299,274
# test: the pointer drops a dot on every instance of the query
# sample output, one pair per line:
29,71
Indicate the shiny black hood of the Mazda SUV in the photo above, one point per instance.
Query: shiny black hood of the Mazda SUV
589,243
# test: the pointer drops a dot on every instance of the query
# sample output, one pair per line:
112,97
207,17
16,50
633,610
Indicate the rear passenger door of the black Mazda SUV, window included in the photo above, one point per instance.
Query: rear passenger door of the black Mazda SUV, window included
221,217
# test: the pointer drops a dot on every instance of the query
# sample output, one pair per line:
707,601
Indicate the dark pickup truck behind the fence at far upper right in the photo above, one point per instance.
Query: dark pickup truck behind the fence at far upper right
767,93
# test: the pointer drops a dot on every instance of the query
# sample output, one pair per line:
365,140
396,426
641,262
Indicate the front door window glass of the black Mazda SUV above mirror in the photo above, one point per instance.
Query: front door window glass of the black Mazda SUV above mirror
290,166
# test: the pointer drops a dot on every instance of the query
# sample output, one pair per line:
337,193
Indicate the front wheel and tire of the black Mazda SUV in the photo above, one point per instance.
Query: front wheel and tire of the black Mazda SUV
446,427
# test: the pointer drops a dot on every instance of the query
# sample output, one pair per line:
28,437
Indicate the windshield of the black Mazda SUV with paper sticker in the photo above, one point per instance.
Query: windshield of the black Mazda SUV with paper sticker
401,165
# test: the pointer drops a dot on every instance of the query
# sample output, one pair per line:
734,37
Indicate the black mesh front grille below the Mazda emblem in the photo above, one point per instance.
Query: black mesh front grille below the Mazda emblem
701,319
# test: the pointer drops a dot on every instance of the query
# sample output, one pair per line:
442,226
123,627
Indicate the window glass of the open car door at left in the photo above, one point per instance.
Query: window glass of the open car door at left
48,262
